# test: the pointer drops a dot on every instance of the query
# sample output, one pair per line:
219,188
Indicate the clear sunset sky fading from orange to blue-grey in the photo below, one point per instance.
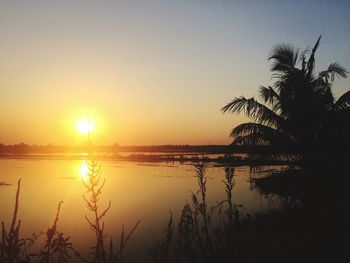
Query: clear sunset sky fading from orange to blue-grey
149,72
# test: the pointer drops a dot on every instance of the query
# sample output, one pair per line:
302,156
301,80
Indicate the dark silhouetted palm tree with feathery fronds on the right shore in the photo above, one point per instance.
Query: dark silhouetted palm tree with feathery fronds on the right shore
300,103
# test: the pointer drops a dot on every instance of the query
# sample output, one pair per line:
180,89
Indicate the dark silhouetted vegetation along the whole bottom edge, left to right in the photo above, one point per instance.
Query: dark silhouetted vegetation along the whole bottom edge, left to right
305,228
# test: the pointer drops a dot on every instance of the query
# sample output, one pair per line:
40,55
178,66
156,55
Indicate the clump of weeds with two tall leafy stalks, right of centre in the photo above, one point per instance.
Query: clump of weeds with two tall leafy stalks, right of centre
197,237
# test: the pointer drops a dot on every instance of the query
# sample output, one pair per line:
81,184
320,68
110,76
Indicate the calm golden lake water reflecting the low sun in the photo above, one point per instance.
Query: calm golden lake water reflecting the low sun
136,190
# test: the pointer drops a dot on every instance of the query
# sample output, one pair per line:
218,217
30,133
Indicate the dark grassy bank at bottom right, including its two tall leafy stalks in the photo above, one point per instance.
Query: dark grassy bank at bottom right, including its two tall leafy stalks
307,230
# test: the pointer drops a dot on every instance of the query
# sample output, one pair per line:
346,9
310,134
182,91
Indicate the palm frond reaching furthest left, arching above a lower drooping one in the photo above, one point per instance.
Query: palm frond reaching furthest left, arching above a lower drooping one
255,110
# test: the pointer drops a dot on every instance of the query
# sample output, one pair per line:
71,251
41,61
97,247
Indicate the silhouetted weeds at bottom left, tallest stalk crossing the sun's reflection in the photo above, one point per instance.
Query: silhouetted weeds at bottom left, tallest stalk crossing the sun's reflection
54,245
